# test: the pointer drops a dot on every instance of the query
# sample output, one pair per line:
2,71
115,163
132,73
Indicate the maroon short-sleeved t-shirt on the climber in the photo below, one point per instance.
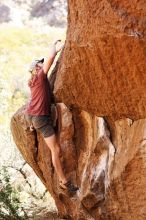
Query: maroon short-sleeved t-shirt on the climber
40,103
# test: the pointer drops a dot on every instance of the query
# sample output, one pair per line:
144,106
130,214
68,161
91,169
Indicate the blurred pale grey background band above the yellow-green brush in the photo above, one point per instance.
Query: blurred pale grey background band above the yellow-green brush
44,12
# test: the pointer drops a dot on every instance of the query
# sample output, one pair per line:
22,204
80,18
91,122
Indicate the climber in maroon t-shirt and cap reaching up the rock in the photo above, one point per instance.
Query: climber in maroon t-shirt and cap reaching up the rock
38,111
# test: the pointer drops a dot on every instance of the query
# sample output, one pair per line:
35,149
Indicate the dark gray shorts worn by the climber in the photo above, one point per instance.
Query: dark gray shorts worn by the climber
42,123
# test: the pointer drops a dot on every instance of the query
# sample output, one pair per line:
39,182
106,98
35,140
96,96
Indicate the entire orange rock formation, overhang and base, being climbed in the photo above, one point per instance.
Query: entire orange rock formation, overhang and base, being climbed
100,73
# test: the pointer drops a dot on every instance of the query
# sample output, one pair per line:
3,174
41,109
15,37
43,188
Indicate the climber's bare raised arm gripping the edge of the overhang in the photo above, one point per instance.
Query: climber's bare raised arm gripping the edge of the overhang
53,50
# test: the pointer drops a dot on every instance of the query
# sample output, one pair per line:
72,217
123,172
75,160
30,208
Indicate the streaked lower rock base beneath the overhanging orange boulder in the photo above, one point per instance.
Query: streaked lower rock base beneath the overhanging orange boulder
107,160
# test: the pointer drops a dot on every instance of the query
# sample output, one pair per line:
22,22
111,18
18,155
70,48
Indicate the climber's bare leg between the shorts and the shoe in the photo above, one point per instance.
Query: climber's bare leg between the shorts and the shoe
55,153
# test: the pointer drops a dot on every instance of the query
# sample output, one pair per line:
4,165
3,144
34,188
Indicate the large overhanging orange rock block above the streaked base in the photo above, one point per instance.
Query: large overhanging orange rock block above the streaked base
104,61
